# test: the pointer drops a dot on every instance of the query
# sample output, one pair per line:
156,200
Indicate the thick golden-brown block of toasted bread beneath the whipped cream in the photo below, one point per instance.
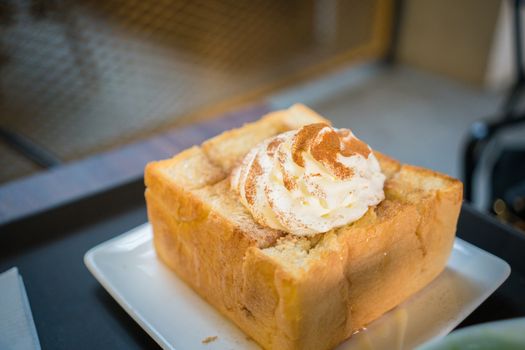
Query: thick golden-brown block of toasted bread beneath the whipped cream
283,295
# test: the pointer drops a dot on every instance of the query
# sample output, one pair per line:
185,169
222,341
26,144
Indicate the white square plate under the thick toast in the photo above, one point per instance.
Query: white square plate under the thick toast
177,318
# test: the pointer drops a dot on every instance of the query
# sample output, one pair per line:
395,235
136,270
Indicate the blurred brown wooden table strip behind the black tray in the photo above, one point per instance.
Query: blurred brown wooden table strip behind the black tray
59,186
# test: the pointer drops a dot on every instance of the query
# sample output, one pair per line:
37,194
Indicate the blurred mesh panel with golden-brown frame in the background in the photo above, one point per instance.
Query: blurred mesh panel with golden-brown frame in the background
79,77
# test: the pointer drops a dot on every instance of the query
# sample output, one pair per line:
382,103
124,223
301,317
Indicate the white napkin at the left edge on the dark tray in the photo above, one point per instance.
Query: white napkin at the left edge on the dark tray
17,329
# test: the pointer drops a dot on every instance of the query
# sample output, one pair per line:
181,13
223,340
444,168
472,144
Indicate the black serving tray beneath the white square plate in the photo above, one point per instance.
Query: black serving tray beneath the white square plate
72,311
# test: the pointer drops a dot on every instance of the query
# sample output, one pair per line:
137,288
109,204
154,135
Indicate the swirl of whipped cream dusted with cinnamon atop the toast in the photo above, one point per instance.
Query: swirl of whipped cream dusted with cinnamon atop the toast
310,180
